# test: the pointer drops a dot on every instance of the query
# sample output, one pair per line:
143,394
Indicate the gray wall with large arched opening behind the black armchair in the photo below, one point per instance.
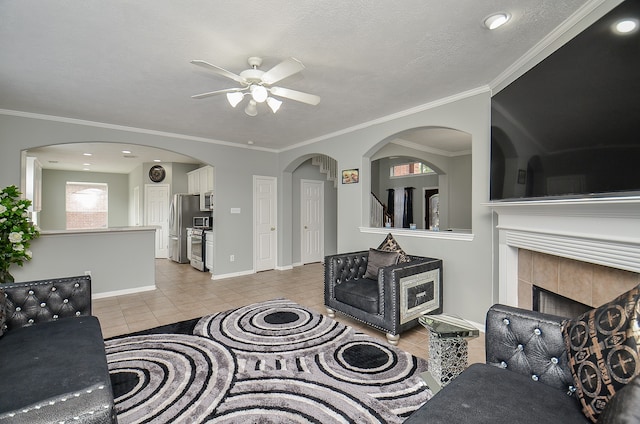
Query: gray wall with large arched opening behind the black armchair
470,286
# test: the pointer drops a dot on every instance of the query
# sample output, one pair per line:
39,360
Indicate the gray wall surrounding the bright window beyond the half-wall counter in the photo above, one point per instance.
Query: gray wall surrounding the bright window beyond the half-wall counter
53,215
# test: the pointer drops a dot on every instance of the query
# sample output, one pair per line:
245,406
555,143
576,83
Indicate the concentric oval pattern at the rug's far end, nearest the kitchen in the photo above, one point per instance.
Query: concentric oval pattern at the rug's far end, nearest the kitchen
273,327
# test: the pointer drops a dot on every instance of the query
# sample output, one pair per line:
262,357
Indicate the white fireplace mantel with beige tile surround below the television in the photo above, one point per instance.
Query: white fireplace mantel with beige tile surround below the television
585,249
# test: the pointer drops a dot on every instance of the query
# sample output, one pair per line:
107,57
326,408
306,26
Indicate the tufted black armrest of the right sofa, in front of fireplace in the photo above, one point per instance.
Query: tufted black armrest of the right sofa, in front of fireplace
529,343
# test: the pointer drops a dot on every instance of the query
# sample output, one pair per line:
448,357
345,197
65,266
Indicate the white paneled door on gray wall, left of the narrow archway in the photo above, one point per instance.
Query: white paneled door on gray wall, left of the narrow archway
265,218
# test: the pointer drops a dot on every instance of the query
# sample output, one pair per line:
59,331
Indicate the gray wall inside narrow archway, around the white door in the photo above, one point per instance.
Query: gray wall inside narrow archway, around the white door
307,171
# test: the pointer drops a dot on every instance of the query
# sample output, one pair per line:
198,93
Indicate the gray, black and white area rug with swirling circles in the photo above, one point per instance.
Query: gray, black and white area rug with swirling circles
269,362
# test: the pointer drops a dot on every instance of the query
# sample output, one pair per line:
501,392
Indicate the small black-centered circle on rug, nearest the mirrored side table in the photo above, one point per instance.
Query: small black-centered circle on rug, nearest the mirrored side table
381,363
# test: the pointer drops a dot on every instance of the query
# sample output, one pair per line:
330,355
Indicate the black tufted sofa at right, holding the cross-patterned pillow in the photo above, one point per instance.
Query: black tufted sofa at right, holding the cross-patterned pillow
527,378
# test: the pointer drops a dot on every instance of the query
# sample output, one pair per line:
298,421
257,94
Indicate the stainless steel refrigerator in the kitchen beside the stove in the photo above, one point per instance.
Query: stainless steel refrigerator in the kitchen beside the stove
183,208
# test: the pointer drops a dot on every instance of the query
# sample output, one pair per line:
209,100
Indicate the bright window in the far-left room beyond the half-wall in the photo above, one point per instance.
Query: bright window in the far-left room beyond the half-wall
87,205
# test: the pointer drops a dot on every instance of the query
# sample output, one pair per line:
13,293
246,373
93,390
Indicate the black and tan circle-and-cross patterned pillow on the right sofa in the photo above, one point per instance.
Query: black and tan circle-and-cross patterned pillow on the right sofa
603,350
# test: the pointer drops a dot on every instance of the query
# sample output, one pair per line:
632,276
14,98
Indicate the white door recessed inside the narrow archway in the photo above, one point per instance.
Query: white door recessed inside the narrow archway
312,221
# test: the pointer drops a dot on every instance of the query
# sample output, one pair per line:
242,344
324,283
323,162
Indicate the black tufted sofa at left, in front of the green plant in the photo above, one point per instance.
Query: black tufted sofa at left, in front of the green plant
53,365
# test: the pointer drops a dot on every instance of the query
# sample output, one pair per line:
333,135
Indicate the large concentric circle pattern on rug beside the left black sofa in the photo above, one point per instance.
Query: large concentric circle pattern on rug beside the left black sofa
167,377
